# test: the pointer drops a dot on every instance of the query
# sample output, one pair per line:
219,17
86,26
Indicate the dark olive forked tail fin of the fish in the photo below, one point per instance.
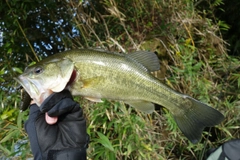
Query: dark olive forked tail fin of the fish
196,118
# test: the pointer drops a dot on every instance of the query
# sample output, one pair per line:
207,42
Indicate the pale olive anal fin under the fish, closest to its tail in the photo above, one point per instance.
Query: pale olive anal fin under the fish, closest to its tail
143,106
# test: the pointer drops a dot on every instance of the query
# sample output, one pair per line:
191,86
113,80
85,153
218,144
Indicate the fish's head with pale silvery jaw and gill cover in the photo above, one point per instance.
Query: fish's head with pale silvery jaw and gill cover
46,77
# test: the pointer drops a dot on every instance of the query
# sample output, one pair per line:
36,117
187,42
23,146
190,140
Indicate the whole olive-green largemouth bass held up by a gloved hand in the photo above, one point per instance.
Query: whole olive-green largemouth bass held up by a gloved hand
96,74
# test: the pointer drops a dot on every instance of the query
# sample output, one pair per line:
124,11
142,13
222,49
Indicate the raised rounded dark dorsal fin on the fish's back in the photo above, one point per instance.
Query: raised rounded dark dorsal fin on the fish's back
148,59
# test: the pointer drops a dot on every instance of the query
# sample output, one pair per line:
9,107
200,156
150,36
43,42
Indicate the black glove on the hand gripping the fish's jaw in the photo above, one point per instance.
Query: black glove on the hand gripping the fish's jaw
65,140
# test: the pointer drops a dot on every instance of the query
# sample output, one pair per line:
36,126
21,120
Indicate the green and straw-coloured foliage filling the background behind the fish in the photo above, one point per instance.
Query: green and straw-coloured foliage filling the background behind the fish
185,34
